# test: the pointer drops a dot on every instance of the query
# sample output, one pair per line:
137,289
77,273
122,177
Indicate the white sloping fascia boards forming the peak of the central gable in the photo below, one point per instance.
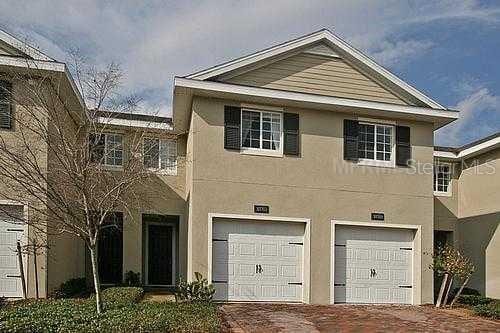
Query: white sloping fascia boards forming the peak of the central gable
324,35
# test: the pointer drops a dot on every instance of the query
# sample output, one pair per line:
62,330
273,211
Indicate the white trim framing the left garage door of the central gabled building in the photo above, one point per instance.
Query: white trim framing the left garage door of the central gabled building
306,290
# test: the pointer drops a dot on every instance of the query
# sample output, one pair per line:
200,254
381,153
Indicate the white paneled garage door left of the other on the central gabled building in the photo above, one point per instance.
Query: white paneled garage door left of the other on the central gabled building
257,261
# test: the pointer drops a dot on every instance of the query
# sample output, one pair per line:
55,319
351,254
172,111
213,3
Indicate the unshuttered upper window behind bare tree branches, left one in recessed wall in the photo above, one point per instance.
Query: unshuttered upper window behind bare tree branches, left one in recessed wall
107,148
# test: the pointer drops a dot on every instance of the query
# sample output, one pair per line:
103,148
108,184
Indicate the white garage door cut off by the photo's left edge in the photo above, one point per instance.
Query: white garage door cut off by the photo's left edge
10,283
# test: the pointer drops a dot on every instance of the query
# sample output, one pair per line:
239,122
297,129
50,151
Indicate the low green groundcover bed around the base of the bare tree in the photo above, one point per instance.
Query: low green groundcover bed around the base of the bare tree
123,313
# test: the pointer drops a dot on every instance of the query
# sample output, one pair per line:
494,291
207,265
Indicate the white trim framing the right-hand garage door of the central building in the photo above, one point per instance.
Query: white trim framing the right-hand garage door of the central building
417,253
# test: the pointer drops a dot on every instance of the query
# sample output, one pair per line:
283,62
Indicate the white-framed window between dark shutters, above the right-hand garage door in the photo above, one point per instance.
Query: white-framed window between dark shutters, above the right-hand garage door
375,145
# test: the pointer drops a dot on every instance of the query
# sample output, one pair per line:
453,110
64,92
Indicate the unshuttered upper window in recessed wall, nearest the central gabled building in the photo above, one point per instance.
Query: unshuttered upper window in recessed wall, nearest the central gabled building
160,154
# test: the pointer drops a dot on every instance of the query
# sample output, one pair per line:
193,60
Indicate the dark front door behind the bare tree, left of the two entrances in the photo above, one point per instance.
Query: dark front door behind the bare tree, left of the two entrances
110,251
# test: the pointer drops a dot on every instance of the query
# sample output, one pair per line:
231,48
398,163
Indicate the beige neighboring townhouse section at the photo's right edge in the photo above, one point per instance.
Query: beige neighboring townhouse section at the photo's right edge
467,207
